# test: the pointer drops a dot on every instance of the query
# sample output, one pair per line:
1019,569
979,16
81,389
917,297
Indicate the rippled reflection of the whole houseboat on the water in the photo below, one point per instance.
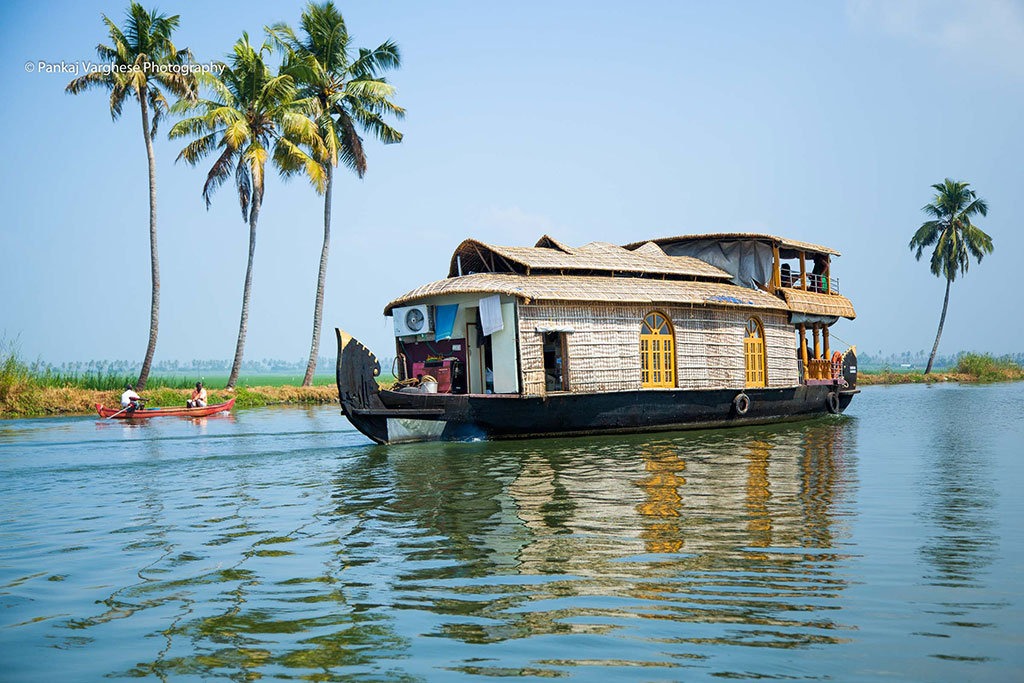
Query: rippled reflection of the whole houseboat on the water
735,534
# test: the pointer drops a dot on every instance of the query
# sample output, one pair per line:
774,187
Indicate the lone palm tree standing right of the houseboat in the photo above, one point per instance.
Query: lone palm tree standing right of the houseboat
955,237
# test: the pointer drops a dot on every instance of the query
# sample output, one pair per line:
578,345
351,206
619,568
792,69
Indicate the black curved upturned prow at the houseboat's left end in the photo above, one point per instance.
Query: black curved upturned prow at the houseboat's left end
358,389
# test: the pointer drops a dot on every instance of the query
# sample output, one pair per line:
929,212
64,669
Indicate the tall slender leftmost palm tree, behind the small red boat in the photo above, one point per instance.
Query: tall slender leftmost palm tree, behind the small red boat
138,58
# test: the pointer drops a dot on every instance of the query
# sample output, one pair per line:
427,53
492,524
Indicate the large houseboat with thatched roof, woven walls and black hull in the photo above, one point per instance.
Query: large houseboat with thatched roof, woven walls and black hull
693,331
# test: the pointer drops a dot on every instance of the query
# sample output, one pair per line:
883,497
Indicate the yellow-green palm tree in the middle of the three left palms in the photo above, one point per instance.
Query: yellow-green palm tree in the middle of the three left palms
249,112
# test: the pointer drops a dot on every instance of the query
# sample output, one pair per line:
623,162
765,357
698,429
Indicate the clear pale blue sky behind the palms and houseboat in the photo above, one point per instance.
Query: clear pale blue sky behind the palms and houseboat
590,121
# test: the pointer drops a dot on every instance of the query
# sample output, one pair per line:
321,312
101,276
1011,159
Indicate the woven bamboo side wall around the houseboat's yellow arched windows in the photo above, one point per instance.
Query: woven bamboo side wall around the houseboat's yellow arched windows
604,351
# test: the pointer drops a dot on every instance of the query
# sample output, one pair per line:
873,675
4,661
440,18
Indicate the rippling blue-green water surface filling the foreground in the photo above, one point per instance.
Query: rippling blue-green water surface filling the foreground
279,544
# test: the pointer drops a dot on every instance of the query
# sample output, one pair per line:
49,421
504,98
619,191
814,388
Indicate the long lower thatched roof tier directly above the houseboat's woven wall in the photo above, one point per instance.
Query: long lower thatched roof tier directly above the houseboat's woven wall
595,289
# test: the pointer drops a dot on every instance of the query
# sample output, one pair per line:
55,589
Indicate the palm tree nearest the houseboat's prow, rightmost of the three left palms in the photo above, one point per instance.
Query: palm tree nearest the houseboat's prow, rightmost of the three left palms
350,95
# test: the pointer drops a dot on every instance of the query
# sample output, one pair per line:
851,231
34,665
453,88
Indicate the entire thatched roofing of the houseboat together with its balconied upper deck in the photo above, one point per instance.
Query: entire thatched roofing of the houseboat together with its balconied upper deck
713,269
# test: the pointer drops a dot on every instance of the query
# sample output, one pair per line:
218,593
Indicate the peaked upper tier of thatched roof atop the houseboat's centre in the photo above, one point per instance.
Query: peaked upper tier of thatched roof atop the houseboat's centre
550,257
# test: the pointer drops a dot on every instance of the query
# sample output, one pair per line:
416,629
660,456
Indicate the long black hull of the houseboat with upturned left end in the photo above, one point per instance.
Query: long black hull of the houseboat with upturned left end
389,417
